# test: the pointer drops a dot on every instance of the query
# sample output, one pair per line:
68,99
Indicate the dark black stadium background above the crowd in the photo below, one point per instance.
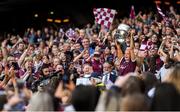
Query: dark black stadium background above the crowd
16,15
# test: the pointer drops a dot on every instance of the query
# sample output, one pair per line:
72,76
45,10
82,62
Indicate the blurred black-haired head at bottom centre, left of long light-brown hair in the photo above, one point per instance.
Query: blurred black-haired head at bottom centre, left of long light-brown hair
84,98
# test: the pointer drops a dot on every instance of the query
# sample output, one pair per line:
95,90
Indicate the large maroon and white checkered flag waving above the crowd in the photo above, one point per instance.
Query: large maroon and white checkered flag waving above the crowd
104,16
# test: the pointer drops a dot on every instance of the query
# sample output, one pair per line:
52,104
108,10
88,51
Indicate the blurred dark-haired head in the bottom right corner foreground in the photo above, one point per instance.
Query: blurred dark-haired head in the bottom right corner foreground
166,98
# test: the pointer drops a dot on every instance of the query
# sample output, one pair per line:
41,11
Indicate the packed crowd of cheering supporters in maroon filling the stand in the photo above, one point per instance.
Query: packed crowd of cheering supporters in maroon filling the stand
50,70
